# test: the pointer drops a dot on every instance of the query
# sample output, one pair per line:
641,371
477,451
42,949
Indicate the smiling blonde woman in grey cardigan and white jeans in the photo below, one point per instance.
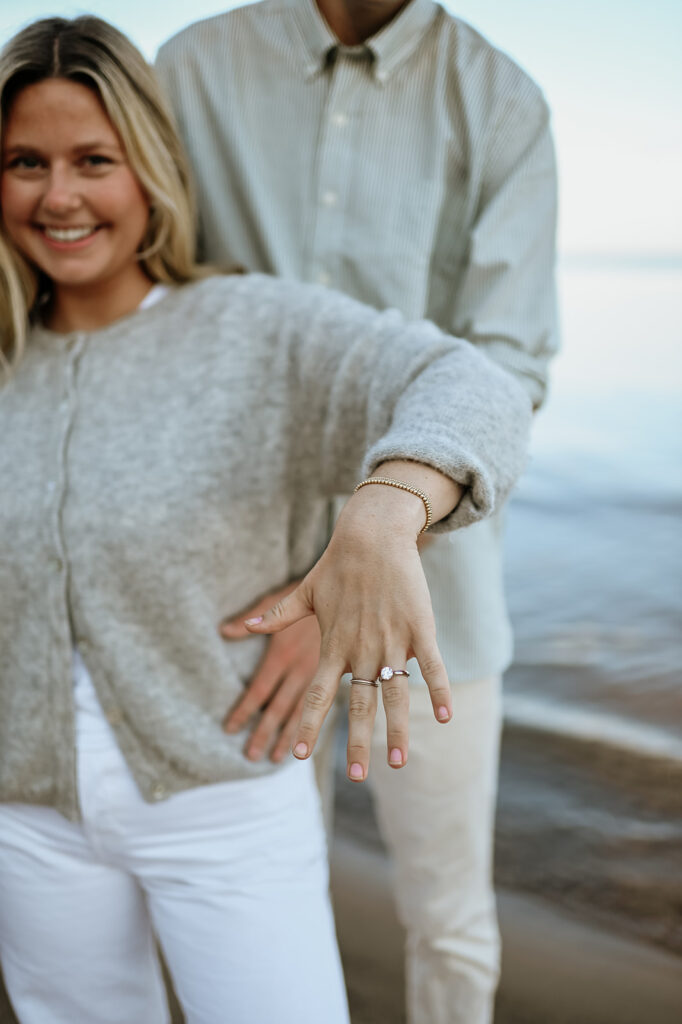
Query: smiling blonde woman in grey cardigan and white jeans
172,440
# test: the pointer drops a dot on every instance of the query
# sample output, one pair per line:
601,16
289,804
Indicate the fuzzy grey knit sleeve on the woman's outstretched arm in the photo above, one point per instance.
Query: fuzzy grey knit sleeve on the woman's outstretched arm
369,387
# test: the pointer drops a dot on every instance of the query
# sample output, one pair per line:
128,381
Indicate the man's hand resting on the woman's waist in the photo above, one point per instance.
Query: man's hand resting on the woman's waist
280,685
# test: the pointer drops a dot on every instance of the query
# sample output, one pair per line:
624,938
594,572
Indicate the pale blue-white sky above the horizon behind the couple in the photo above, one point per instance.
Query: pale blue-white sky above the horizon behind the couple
612,72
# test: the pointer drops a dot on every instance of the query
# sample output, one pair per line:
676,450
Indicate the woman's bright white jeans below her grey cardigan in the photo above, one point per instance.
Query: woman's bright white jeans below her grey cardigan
232,879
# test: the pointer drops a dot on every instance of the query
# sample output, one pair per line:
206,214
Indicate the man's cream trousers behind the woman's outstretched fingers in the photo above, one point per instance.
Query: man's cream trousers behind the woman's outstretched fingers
437,817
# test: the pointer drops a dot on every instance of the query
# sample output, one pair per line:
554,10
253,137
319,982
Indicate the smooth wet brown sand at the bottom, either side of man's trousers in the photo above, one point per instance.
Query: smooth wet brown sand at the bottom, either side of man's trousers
557,970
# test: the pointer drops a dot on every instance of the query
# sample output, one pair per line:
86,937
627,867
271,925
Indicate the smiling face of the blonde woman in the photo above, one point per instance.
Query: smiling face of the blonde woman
70,200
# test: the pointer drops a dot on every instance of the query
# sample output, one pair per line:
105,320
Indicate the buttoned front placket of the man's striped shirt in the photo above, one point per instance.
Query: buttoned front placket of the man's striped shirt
335,155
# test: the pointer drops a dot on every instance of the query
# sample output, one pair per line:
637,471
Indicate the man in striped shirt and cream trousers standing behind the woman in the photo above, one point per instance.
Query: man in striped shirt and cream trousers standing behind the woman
389,151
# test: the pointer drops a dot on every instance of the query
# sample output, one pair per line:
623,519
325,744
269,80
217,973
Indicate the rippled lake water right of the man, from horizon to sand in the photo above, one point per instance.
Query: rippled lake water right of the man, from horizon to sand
591,786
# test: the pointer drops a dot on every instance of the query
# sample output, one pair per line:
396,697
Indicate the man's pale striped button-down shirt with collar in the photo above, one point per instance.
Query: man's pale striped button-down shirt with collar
415,172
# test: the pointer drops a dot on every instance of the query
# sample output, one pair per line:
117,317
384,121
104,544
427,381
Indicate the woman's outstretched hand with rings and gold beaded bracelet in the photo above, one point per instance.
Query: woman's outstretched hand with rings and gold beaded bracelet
372,603
